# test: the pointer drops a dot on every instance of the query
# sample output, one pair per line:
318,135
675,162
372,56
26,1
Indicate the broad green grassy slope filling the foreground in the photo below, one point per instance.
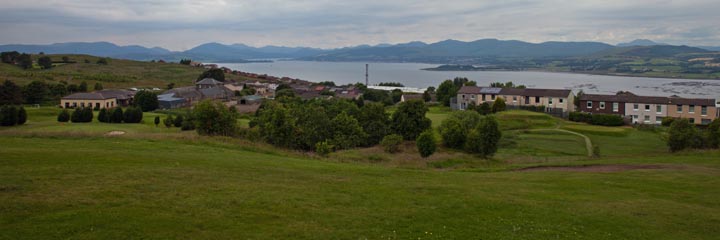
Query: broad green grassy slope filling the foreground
155,183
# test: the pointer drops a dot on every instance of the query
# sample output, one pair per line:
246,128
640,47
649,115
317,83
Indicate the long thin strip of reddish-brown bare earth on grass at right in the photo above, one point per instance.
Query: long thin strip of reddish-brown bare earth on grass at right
597,168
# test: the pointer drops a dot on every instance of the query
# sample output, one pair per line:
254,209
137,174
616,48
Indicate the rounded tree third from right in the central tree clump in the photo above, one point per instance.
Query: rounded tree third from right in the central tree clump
347,132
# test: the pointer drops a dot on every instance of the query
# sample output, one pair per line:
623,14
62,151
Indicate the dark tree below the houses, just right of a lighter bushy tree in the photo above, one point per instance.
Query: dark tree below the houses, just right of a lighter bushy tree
485,138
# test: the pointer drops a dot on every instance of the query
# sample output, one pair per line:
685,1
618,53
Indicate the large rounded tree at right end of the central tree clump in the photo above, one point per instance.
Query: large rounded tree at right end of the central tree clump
409,120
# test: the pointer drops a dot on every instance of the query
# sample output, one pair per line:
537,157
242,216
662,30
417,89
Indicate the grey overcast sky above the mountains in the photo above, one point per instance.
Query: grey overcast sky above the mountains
181,24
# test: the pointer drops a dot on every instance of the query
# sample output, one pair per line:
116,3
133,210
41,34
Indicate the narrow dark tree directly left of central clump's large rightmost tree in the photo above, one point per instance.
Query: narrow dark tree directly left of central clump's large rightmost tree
375,121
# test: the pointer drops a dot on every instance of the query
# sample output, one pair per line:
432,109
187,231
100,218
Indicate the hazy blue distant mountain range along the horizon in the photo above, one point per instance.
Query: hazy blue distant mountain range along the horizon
439,52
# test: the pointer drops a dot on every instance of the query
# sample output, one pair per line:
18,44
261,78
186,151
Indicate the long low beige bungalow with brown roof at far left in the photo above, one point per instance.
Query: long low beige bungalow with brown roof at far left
99,99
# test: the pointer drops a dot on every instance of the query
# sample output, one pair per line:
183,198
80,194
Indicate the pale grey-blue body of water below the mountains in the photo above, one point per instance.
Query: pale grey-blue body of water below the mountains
410,75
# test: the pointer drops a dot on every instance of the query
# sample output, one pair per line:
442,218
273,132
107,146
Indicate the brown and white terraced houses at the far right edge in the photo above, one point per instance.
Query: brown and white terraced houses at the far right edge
650,109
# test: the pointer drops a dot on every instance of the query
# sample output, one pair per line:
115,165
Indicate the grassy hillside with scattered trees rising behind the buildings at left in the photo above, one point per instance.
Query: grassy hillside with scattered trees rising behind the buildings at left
117,73
